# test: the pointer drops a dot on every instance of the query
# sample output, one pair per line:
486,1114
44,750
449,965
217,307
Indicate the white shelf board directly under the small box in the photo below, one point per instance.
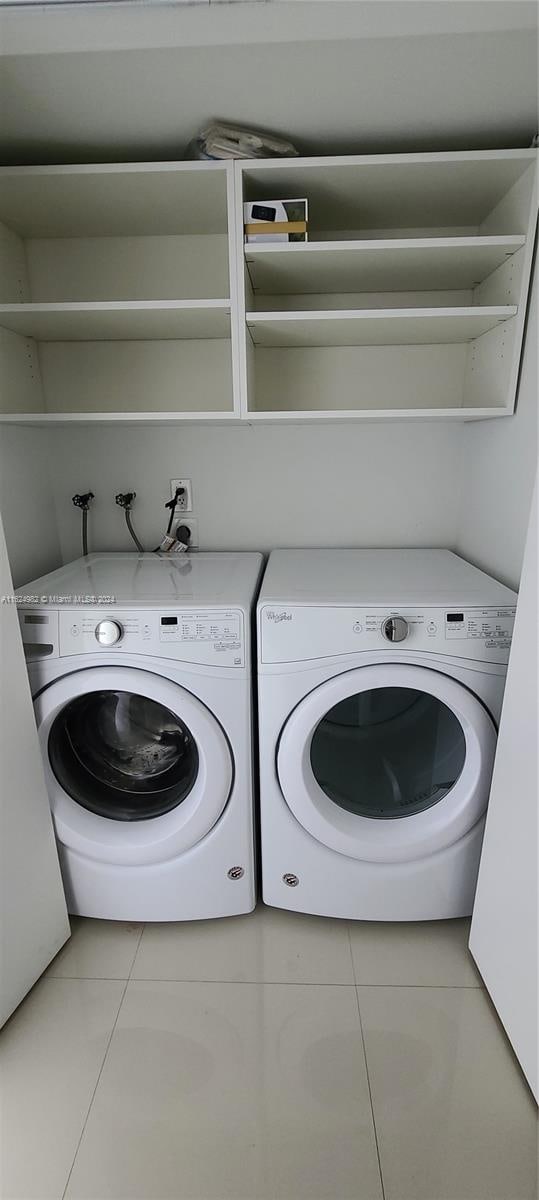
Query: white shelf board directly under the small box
404,265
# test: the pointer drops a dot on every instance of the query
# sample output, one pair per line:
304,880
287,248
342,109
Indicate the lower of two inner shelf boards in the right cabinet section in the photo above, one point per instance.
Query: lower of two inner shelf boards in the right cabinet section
375,327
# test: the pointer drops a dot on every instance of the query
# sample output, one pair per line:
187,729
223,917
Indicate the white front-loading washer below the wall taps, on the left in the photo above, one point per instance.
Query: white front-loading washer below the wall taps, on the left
141,674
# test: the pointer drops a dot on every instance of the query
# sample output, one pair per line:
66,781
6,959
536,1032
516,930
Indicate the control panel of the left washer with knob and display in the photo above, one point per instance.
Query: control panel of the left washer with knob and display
209,638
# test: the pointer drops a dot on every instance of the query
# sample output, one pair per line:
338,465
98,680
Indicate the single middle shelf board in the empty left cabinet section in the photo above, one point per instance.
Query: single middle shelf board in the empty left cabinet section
119,321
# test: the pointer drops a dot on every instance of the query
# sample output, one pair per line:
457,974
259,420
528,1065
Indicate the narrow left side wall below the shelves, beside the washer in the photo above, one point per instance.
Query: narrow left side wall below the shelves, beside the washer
27,502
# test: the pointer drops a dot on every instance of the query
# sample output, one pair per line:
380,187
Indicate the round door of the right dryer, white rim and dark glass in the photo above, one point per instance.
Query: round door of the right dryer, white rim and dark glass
388,764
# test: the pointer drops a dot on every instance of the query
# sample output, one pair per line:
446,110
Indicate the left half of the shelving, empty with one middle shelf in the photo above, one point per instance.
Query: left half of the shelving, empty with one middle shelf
116,295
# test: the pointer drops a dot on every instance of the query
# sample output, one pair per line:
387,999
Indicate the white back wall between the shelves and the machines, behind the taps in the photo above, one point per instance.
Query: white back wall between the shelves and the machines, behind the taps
265,487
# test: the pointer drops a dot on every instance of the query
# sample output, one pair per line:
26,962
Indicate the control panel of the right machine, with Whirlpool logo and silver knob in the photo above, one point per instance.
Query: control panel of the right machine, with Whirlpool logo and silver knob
308,633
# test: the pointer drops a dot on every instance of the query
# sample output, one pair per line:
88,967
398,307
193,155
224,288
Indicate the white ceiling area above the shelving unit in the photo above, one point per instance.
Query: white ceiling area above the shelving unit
139,81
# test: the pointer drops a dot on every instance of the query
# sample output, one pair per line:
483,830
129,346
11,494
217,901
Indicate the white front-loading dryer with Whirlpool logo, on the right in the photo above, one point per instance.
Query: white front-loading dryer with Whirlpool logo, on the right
381,679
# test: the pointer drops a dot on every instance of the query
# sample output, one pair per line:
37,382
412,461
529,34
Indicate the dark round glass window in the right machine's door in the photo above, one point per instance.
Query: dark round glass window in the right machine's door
388,753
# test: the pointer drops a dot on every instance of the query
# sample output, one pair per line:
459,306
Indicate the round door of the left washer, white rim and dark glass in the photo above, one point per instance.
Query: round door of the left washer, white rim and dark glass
137,769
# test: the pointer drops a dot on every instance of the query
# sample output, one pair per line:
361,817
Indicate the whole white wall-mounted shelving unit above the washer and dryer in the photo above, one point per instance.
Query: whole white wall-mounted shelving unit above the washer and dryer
128,292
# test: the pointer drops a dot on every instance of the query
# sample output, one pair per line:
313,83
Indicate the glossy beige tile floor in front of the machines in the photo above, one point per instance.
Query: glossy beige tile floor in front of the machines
265,1058
